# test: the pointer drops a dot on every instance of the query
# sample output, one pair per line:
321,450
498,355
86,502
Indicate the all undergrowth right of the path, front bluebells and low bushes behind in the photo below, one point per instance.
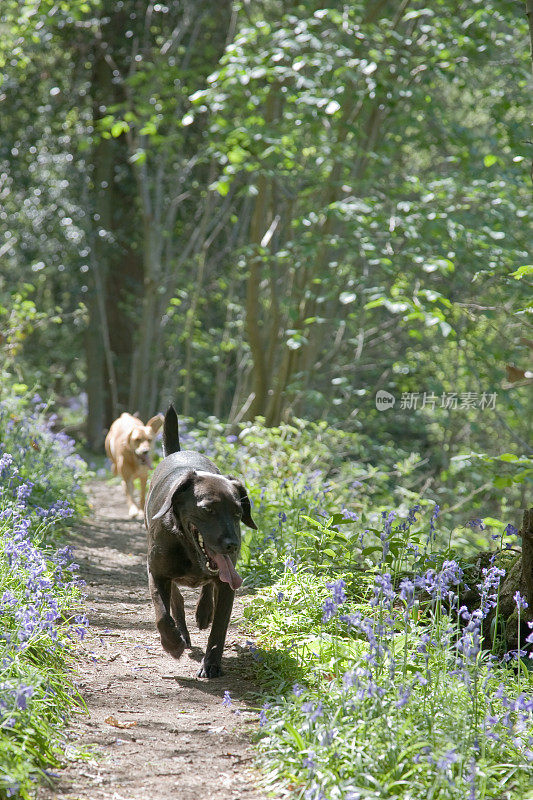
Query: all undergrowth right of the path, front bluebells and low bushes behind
377,678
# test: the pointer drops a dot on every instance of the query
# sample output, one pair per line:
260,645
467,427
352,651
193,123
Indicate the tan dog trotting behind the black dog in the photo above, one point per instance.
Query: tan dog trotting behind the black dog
128,446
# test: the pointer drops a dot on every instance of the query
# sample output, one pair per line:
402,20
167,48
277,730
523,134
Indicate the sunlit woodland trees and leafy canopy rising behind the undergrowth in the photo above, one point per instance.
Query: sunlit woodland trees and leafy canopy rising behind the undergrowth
369,162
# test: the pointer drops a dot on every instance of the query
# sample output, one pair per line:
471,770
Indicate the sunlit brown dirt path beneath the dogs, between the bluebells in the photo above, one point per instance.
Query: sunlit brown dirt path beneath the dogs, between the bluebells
181,741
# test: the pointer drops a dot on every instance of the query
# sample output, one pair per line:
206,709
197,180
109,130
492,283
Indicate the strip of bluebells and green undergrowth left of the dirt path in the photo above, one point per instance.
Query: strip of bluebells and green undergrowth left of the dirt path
40,596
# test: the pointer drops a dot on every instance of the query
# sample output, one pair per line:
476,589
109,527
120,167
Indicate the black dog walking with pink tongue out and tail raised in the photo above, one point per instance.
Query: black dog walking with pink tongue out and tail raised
192,516
